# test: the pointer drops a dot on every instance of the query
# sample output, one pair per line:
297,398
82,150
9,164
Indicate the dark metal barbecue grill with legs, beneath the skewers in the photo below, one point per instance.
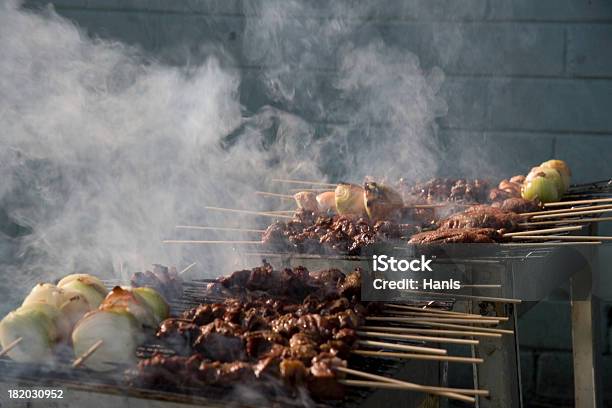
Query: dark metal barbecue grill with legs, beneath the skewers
530,270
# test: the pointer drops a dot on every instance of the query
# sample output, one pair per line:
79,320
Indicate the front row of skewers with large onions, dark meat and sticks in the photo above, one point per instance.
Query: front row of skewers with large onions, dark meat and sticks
292,327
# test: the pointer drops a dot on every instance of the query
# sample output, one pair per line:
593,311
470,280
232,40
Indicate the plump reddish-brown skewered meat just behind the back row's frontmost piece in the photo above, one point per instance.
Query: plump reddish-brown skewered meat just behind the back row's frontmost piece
483,216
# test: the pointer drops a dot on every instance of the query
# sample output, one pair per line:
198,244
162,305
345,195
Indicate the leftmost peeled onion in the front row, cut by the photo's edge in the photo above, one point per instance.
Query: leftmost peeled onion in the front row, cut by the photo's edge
41,327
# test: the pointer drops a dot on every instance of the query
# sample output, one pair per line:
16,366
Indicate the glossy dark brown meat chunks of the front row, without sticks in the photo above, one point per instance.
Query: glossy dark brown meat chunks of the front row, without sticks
263,336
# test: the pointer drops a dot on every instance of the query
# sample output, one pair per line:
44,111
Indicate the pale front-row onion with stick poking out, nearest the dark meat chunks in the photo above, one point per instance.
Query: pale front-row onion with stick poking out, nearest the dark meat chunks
120,334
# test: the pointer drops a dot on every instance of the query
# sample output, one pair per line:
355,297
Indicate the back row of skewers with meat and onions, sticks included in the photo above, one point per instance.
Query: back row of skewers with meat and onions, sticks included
522,210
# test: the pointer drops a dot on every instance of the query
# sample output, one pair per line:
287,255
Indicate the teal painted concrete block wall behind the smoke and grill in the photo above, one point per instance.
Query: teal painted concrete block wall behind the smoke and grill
526,80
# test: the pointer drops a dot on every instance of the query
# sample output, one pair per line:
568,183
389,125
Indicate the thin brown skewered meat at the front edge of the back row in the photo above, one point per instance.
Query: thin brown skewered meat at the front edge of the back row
457,236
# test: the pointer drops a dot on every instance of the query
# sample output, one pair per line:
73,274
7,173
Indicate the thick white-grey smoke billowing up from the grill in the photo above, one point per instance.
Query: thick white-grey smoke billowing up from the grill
104,150
